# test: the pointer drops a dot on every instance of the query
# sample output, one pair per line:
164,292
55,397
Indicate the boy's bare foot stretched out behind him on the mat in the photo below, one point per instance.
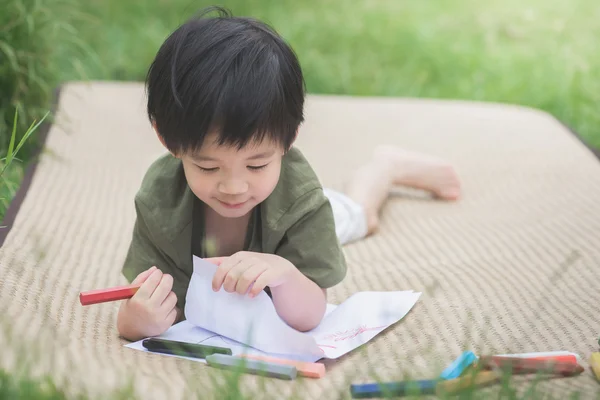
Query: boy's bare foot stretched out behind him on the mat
420,171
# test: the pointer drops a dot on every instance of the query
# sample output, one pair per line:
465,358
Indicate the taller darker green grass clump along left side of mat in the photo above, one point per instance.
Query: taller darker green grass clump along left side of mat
31,34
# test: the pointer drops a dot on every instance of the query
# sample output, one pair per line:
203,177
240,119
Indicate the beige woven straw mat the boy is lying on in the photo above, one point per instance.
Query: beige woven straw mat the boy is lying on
512,267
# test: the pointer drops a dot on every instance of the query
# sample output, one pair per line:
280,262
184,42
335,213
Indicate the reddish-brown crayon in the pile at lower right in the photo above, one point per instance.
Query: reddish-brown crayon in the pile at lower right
519,365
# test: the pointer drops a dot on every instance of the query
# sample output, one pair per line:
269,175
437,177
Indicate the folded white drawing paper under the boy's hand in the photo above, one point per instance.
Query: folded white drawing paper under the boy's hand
237,321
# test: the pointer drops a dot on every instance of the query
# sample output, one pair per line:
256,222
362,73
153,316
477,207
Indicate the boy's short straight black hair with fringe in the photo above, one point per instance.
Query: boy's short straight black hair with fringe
232,76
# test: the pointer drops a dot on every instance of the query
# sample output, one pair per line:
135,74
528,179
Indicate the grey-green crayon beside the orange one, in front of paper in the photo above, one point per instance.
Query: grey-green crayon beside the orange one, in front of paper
255,367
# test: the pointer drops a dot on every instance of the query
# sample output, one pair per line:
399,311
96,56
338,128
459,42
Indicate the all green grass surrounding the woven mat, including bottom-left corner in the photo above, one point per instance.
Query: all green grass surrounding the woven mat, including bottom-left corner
540,53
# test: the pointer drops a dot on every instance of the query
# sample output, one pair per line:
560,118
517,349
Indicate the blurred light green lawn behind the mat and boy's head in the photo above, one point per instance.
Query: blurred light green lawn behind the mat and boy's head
540,53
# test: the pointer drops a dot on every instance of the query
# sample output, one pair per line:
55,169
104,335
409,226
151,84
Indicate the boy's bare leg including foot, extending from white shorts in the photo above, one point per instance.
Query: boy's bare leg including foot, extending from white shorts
371,183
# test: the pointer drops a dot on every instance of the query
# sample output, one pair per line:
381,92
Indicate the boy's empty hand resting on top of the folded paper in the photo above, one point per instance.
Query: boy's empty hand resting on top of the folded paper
248,270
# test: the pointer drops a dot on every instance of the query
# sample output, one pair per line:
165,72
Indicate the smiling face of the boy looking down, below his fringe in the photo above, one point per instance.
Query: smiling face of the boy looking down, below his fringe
231,181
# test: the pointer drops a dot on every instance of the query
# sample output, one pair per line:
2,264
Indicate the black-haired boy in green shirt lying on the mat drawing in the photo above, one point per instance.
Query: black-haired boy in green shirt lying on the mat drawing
226,97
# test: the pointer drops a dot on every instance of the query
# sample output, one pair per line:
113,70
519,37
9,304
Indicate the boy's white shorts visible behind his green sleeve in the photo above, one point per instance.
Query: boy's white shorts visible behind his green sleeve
349,216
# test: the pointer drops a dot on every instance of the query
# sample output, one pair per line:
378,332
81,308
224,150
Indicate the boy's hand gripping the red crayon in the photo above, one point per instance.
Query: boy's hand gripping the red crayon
151,310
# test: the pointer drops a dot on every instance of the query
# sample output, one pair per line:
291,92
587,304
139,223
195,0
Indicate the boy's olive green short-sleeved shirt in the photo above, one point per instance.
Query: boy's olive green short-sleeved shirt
295,222
